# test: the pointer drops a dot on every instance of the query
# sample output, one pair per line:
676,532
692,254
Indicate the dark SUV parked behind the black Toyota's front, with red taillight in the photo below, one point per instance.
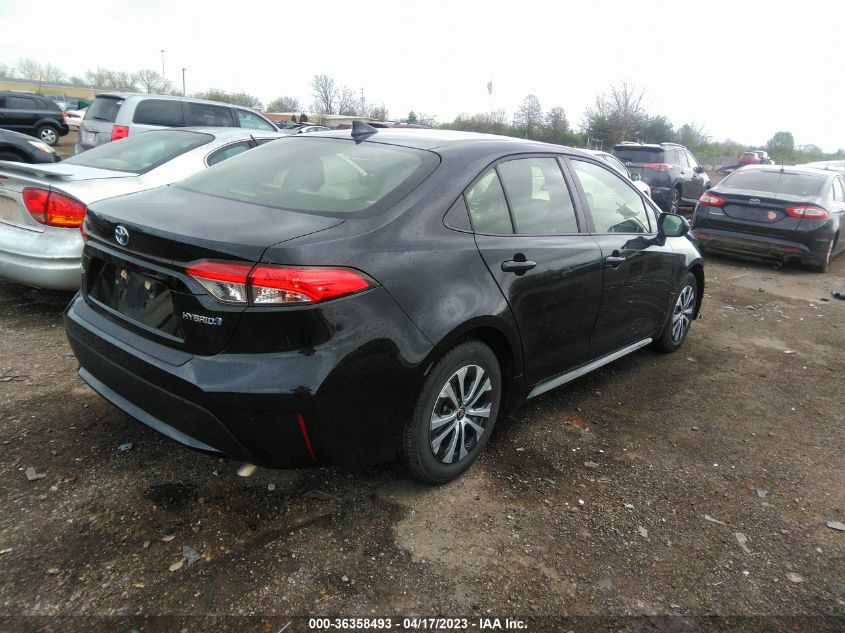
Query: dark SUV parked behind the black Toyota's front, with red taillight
672,172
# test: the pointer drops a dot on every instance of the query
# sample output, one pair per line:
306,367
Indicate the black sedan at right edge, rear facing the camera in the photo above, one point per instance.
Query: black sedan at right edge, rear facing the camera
780,213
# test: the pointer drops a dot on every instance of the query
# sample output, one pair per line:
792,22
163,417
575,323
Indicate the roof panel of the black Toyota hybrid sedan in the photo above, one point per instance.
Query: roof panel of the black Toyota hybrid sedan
430,139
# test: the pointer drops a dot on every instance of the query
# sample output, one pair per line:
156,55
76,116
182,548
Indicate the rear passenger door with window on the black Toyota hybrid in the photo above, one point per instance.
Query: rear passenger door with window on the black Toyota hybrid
527,229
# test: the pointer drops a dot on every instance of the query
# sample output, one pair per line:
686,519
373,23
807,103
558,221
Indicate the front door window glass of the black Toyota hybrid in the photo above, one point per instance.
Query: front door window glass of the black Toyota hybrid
616,207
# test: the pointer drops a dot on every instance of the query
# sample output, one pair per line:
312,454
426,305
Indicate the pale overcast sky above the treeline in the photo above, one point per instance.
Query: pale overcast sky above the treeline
743,70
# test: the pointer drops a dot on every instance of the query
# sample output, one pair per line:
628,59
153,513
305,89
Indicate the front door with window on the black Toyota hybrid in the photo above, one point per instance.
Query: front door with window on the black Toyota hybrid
638,264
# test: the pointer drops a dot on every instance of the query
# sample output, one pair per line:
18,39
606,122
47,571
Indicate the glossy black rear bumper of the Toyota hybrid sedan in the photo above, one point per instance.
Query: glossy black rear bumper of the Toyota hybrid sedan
279,410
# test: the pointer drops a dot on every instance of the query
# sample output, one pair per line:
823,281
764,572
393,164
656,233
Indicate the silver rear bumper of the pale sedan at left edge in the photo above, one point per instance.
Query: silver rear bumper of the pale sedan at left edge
48,259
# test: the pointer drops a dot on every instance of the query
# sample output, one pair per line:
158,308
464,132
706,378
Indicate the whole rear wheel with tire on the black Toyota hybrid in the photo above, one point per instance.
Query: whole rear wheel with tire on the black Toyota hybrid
458,433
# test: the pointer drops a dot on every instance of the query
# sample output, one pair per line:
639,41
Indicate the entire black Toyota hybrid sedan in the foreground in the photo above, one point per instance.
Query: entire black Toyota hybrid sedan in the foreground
345,298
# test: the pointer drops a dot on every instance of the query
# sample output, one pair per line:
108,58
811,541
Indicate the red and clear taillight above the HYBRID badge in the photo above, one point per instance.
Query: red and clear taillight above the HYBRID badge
276,285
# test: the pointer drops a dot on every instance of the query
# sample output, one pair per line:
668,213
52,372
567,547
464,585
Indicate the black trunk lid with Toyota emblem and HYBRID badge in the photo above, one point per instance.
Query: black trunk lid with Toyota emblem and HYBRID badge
143,282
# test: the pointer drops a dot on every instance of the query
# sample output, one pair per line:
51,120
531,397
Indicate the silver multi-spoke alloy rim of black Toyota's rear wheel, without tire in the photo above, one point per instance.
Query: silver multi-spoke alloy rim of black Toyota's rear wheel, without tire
460,415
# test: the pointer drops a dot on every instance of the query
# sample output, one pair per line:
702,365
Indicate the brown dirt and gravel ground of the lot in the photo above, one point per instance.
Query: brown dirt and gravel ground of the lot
693,484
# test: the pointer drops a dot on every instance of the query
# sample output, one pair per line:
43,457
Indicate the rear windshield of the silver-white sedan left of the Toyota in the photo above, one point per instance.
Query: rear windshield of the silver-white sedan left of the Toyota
141,153
